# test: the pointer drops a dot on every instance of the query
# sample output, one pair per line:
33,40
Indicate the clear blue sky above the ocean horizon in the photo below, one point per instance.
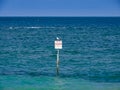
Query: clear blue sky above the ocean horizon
59,7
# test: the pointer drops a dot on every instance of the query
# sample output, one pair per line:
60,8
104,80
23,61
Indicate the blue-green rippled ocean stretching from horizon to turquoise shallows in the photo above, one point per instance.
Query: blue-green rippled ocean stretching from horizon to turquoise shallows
89,59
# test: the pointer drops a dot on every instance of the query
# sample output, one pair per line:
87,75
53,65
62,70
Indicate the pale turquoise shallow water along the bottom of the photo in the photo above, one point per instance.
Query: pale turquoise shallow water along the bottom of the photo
52,83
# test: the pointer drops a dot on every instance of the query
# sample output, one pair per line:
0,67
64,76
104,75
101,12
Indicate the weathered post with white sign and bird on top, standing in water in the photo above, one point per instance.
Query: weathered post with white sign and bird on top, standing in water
58,46
